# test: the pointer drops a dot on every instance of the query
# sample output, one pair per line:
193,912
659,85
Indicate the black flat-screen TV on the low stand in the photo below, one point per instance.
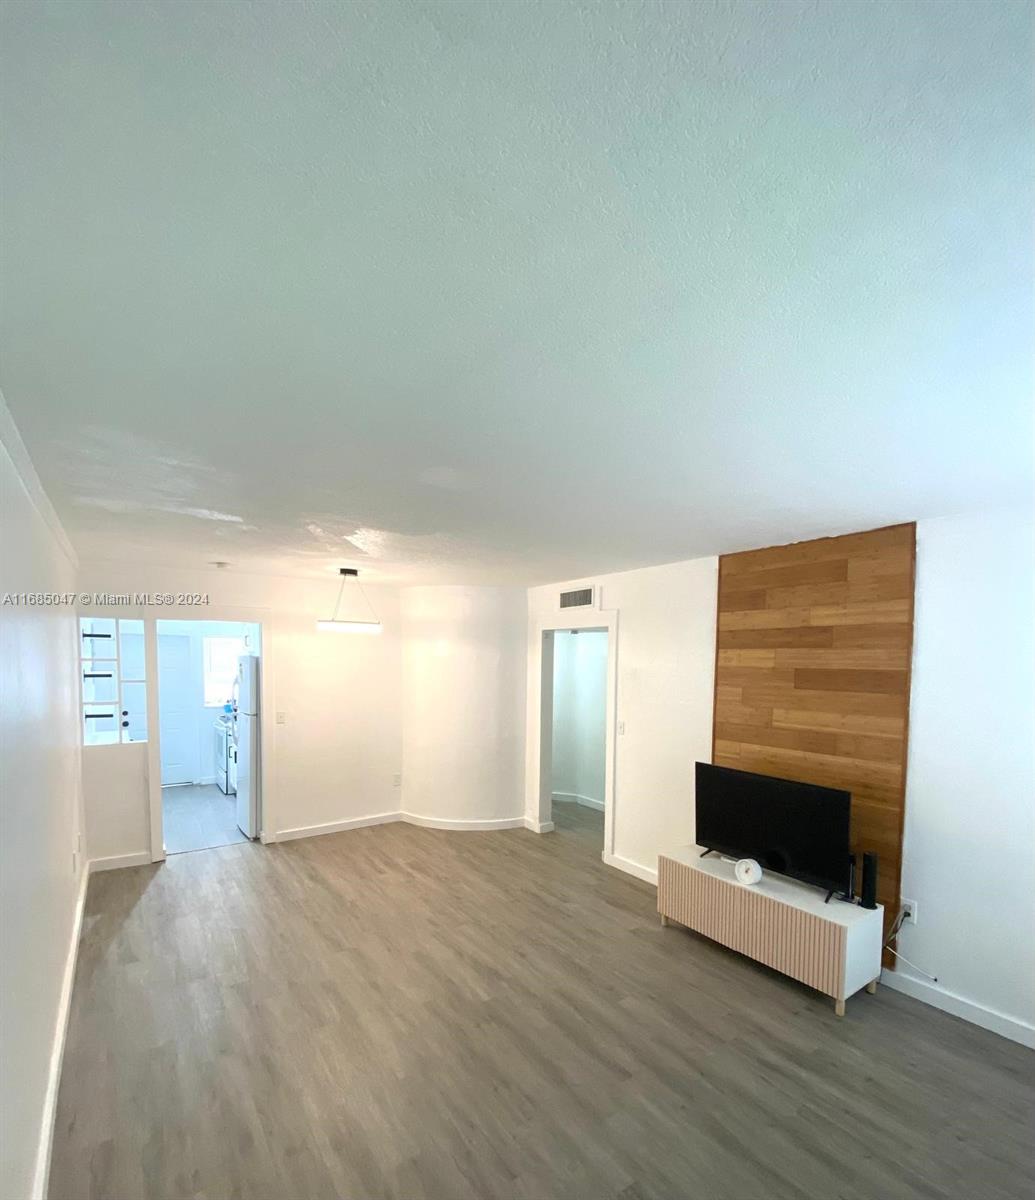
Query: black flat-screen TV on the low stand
797,830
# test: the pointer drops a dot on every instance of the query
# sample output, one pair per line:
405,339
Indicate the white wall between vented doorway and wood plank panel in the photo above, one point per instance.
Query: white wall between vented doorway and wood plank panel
666,653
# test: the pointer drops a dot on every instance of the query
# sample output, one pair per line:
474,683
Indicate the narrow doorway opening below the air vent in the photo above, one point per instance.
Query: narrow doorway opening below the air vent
579,741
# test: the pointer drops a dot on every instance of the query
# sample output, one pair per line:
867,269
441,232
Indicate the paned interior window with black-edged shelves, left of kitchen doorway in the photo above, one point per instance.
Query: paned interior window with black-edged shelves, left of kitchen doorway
113,681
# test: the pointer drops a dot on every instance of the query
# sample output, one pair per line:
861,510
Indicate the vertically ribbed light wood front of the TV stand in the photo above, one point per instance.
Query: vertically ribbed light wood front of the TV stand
798,944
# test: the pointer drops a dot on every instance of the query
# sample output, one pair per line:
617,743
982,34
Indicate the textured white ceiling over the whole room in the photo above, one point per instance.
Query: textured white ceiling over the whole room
512,291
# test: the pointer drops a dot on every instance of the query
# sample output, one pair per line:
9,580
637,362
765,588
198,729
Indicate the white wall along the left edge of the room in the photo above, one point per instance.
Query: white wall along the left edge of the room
40,818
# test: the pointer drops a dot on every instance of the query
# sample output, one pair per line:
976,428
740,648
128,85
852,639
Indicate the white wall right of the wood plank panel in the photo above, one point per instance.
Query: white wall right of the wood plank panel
970,851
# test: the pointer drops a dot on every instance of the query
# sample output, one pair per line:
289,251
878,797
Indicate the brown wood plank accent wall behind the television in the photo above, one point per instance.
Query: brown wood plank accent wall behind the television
813,655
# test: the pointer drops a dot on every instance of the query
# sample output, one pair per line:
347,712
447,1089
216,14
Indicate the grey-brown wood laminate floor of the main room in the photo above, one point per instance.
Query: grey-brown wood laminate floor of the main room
410,1013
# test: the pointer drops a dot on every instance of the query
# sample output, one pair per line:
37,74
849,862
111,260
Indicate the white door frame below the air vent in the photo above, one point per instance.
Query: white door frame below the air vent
540,731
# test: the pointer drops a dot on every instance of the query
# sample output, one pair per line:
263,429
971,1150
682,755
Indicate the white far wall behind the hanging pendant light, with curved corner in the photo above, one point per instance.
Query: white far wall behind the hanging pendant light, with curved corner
349,705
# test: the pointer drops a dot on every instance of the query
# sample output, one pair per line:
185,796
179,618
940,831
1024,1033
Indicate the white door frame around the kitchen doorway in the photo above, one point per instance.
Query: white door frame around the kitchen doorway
261,617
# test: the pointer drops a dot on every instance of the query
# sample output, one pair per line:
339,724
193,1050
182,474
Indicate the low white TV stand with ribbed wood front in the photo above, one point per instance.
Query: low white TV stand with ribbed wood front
833,947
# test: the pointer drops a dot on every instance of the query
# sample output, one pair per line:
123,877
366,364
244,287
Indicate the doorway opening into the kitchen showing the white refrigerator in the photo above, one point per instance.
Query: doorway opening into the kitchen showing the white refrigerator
208,719
